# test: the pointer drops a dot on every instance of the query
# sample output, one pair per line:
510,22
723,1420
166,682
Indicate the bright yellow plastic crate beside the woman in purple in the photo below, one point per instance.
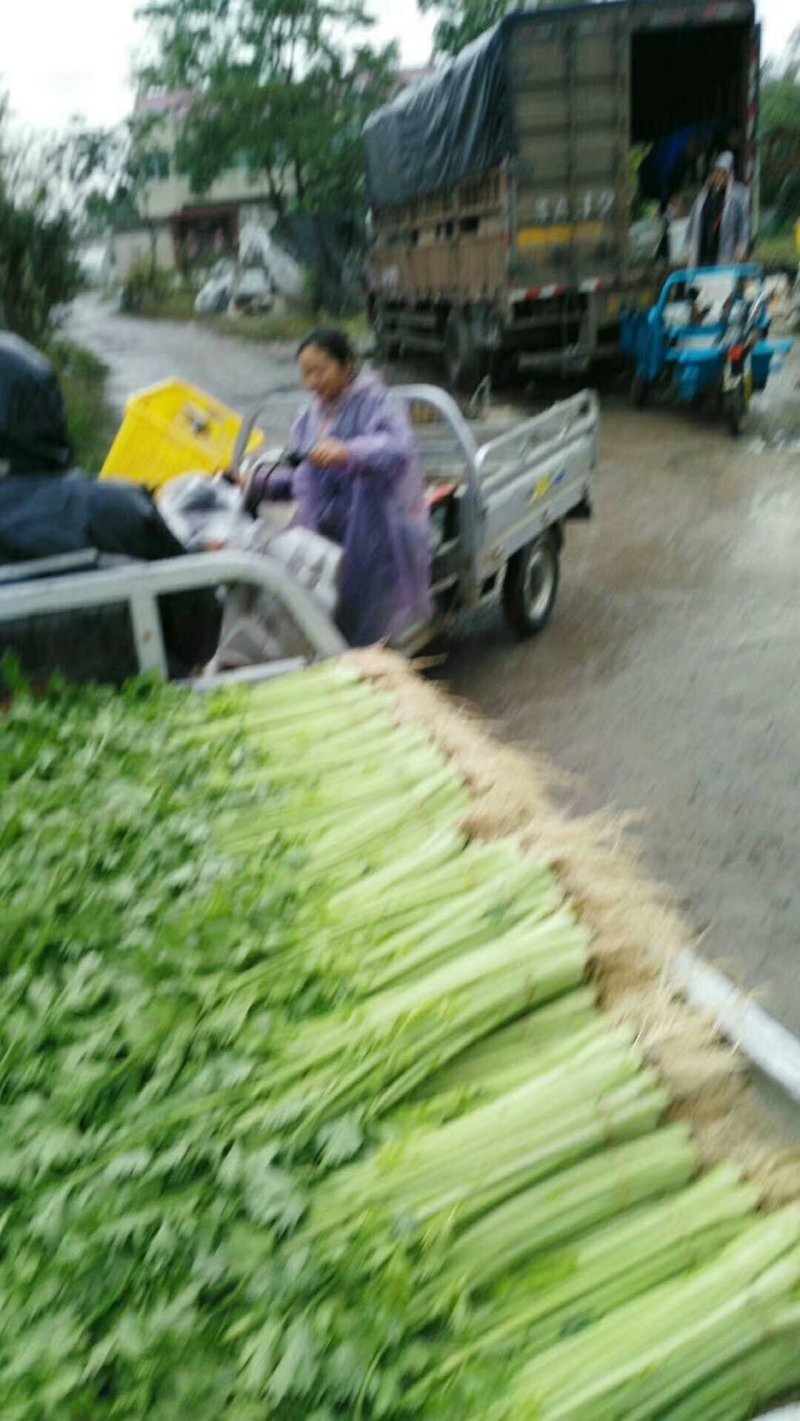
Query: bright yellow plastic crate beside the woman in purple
170,430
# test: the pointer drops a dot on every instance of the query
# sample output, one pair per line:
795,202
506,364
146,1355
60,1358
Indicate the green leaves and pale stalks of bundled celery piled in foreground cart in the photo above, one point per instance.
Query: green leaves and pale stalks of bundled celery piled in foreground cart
306,1105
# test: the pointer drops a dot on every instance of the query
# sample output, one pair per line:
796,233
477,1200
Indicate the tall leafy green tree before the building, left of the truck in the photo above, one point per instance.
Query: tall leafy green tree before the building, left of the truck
279,85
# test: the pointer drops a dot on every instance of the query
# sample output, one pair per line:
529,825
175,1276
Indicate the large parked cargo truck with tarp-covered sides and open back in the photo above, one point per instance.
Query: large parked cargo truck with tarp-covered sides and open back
504,187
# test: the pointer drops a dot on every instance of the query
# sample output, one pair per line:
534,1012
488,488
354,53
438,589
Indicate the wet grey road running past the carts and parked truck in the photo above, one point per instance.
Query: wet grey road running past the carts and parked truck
669,683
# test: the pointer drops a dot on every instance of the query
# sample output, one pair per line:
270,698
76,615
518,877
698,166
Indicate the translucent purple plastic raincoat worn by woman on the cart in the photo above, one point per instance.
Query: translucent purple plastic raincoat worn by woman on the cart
374,507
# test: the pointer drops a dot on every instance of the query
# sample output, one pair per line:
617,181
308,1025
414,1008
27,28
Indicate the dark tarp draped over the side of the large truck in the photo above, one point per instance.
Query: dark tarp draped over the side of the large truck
454,126
